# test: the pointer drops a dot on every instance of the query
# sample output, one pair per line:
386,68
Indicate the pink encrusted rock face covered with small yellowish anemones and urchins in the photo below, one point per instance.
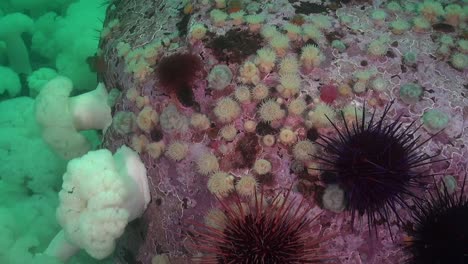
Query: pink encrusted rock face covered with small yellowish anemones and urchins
276,96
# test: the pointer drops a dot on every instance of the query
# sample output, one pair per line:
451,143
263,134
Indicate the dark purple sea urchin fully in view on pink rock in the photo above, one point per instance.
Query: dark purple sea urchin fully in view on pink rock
374,163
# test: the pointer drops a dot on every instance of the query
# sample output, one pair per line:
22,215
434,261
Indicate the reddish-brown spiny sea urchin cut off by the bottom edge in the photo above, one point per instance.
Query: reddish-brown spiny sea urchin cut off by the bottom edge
276,233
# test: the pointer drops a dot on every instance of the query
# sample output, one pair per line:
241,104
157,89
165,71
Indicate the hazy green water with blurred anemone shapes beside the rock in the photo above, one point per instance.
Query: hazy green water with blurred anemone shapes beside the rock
59,36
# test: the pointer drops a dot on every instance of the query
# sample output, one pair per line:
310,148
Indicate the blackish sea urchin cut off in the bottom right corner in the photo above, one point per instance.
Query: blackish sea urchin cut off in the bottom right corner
440,229
